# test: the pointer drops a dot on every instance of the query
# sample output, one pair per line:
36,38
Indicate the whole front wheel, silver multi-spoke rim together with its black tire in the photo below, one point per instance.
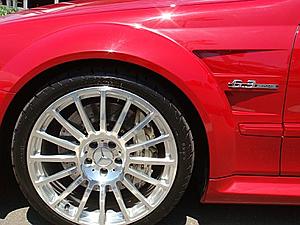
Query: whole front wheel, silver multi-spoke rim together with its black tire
102,150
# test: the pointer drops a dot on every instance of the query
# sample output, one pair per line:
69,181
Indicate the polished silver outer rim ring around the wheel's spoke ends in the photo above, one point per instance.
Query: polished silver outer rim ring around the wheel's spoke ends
114,93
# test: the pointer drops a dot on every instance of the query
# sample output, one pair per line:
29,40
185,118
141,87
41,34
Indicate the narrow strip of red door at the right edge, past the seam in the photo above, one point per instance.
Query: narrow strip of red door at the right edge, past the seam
290,164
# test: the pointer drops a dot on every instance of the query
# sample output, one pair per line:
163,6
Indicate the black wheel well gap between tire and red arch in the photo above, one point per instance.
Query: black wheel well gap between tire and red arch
108,66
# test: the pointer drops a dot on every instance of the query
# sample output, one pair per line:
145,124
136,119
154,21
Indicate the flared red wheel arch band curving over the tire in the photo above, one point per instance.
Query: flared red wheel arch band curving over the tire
142,47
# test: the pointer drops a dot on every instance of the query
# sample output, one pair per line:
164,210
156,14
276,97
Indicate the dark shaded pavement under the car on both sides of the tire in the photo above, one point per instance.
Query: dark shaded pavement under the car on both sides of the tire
189,211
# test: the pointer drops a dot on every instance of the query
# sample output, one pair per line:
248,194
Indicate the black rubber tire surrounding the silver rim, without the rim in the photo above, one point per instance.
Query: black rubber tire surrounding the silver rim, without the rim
50,93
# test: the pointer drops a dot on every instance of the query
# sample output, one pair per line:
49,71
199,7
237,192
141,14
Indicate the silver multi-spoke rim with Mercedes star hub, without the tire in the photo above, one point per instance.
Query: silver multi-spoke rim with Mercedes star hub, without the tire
102,155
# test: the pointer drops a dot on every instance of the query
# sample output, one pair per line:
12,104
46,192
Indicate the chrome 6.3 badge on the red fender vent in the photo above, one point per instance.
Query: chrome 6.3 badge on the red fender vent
251,84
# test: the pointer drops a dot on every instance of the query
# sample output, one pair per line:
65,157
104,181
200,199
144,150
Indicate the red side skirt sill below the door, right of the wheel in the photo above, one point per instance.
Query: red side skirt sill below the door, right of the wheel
253,190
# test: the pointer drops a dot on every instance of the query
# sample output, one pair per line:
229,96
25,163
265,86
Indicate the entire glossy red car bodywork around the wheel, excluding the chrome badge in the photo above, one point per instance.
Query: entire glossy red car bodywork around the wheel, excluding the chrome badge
200,46
